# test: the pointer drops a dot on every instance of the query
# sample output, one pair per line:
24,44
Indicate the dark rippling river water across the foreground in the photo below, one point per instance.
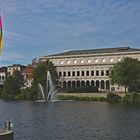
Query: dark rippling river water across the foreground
72,120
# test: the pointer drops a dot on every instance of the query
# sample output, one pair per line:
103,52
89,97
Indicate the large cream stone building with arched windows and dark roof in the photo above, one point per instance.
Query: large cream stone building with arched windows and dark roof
90,67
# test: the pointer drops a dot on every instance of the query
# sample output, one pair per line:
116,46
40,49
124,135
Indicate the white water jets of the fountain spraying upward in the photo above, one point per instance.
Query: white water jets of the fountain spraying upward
51,89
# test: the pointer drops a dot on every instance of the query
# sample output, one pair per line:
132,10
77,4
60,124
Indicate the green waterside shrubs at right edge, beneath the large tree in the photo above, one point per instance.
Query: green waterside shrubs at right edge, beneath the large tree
132,98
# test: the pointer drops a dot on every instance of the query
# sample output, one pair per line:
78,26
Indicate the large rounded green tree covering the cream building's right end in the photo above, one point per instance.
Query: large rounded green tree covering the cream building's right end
126,73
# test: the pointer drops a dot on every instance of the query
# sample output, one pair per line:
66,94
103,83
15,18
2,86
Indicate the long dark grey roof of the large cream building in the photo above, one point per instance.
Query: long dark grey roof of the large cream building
94,51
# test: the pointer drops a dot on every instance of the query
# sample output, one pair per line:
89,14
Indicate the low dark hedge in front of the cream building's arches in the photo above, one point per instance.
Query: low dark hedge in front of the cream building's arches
85,89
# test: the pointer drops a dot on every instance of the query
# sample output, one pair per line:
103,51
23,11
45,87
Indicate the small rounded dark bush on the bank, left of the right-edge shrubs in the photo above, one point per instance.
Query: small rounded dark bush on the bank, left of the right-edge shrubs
112,97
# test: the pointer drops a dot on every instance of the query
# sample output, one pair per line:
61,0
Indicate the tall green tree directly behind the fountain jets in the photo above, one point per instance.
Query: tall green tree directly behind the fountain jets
40,74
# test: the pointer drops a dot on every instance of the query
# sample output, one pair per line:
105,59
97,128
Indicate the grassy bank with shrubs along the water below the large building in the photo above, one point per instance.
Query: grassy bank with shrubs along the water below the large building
108,97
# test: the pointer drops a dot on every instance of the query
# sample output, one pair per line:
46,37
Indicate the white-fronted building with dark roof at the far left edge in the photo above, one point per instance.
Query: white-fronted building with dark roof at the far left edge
3,74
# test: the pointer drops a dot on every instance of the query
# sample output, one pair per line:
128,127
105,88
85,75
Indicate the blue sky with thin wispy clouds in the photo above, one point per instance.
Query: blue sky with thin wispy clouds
34,28
